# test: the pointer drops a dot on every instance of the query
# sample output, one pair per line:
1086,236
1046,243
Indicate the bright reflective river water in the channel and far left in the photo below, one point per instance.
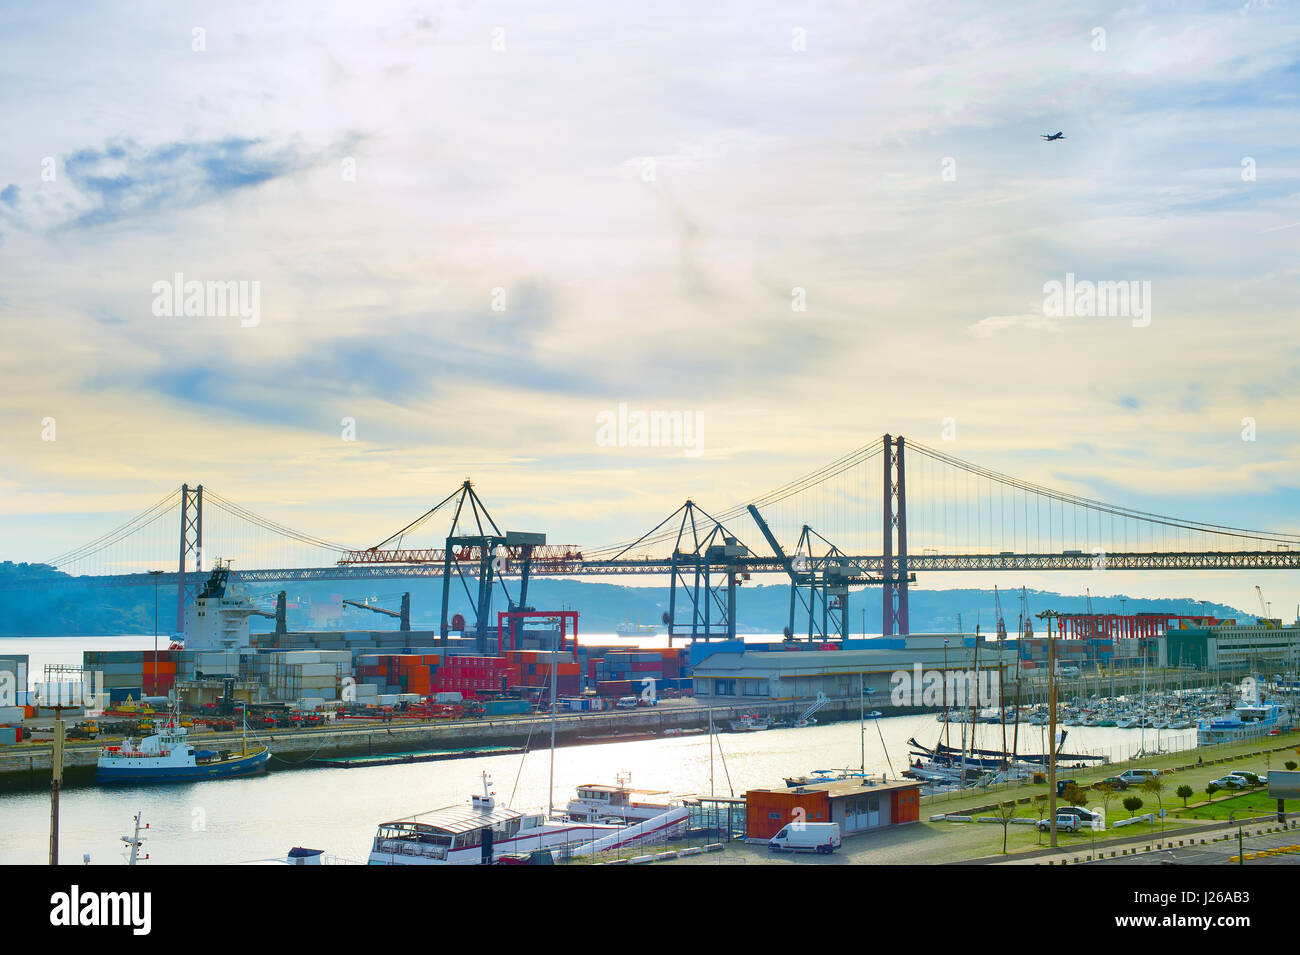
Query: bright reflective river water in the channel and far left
337,810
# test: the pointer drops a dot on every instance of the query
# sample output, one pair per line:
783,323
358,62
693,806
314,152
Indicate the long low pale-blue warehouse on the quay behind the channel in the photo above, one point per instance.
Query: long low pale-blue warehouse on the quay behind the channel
883,670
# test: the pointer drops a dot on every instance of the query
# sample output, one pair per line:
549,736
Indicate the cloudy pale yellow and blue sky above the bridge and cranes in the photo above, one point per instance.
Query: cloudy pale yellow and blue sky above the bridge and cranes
474,229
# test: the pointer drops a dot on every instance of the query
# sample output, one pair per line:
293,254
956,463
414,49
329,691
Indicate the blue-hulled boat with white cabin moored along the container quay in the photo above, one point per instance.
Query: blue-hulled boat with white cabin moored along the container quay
170,757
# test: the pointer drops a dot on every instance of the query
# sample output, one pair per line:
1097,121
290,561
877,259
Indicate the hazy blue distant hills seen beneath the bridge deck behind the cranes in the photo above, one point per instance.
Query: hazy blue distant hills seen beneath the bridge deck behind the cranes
72,610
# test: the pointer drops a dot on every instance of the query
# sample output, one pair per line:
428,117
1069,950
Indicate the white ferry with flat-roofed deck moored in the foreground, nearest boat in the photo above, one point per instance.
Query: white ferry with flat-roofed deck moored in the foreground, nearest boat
476,834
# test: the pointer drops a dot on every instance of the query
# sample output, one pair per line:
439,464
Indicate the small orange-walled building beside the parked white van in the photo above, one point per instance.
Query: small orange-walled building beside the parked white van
859,806
